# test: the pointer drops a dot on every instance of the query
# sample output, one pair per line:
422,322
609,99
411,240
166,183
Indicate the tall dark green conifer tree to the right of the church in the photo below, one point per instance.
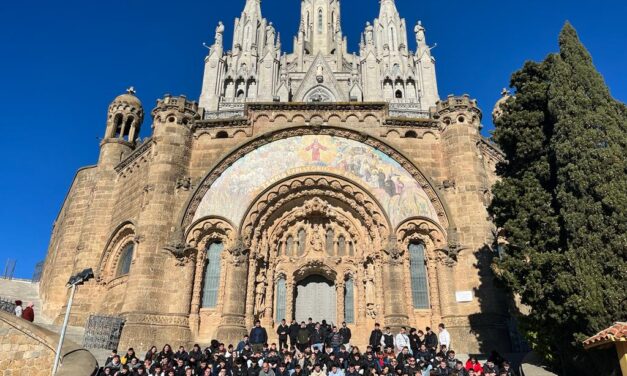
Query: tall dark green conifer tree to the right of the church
562,200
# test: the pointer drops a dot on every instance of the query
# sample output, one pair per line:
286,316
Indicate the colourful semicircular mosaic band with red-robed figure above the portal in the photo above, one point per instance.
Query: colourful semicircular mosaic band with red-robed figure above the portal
396,190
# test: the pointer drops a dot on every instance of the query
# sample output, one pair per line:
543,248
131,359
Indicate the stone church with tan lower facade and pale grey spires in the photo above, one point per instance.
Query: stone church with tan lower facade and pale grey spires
313,184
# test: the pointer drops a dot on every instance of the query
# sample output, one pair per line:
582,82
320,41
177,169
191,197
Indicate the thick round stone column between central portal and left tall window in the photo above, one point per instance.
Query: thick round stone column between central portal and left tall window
233,325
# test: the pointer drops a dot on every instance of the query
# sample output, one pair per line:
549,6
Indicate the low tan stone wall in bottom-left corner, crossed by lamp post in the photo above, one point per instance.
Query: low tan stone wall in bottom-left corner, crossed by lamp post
28,350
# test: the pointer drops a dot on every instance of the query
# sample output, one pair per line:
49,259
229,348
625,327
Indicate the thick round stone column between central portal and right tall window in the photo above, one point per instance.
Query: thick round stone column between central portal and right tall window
394,310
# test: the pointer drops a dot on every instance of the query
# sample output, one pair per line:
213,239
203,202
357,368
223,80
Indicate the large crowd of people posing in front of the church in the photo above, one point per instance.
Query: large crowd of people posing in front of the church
312,349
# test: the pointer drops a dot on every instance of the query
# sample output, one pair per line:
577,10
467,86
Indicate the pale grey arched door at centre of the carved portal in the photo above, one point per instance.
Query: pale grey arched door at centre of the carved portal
316,298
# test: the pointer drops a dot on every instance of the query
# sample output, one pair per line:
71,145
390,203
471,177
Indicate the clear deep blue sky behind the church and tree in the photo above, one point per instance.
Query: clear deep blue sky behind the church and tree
62,62
